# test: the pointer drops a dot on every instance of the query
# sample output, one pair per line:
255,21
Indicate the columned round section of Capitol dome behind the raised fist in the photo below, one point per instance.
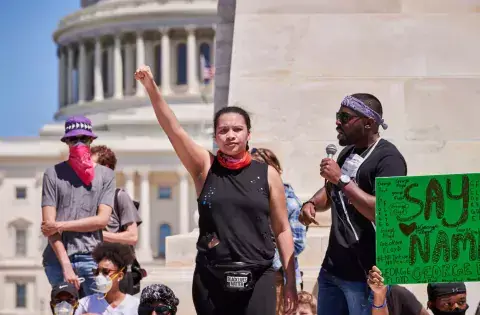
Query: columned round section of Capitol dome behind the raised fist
101,45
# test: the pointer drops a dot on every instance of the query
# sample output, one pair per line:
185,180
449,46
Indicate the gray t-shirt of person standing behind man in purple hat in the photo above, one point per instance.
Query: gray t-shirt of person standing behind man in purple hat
123,214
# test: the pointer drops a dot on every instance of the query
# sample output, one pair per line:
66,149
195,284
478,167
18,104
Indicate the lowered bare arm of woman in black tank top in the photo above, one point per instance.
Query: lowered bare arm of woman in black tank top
283,235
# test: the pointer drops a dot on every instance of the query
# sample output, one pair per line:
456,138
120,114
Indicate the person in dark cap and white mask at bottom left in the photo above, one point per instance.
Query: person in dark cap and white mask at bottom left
63,299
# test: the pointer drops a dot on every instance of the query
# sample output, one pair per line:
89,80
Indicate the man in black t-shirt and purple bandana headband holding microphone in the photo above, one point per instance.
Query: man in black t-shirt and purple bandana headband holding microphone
350,193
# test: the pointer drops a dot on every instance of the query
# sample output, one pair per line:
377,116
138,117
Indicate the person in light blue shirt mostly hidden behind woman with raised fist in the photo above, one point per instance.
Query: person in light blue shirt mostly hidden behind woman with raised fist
298,230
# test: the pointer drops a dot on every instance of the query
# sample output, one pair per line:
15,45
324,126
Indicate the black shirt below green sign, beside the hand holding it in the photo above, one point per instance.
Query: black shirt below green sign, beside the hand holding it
401,301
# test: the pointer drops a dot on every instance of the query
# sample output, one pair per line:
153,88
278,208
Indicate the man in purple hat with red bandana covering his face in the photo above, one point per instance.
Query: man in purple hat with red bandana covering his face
77,201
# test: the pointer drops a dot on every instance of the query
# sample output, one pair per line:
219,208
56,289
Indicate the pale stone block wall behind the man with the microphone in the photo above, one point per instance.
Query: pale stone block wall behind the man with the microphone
294,61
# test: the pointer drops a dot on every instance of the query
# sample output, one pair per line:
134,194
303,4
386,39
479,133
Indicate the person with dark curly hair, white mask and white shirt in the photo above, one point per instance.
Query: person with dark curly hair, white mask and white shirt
112,260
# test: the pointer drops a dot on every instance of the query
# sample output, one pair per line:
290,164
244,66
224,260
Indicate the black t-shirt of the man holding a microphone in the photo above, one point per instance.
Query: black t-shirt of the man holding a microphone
351,247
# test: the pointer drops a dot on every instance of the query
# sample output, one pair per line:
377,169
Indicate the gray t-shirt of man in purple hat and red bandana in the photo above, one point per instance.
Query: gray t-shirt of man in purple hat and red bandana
73,200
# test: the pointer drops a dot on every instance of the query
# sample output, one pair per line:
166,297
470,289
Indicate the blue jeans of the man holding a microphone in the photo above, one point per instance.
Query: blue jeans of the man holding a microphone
341,297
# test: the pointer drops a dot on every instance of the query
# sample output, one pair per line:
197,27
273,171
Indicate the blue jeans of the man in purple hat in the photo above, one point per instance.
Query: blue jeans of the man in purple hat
82,266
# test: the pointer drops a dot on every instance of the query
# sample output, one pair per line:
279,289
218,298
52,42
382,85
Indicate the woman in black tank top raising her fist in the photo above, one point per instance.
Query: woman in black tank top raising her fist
238,198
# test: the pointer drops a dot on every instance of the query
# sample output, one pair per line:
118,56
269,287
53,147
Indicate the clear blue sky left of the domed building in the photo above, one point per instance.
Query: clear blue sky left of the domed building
28,63
